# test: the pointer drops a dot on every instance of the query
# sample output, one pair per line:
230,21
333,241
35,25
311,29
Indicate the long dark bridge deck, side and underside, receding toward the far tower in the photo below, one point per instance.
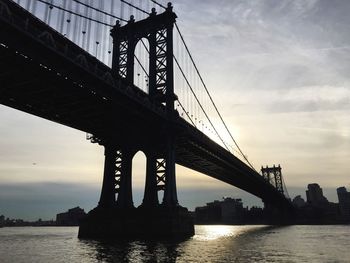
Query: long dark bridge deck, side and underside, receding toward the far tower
54,79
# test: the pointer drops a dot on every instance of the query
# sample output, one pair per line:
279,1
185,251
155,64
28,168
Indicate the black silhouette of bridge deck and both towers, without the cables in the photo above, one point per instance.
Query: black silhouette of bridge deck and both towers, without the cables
42,72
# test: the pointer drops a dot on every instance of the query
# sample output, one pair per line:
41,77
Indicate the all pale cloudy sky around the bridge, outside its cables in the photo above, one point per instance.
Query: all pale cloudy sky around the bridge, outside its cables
279,73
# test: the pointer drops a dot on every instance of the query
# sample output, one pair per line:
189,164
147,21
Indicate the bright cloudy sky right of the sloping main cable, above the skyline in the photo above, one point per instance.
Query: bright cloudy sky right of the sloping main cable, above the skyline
279,72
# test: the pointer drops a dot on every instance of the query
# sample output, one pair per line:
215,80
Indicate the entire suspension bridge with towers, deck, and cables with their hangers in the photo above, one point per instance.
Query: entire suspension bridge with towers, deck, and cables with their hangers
121,71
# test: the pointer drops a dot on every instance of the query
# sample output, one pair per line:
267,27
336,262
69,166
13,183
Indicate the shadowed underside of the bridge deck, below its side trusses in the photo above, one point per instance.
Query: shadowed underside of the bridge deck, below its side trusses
43,92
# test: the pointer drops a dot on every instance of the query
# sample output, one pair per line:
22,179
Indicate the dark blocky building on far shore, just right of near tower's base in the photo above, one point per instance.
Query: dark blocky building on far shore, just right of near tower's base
227,211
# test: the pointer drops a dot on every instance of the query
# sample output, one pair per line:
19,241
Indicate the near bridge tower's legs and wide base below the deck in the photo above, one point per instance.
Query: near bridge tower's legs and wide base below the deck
118,218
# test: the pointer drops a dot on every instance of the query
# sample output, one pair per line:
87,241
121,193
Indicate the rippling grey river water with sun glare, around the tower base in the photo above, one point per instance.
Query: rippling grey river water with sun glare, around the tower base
210,244
